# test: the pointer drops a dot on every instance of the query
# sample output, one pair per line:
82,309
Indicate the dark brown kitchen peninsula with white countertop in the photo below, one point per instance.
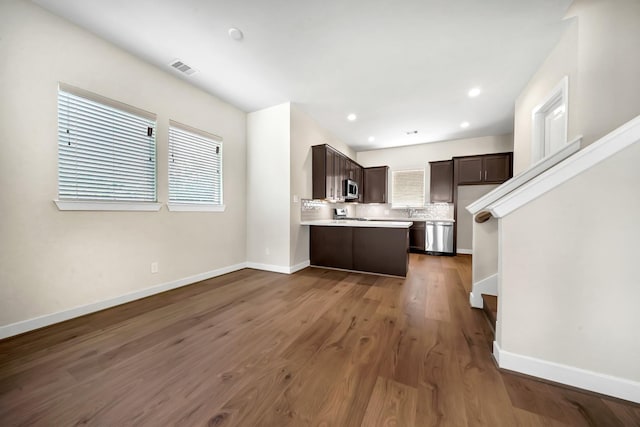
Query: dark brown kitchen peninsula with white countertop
369,246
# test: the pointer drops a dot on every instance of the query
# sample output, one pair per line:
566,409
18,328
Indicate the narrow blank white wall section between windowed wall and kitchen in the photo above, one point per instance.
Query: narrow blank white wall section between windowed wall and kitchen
268,187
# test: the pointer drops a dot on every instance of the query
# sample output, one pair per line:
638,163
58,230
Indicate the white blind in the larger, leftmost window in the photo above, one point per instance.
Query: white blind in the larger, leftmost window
106,152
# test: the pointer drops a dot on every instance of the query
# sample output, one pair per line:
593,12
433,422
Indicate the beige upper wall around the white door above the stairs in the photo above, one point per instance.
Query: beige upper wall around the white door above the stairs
599,54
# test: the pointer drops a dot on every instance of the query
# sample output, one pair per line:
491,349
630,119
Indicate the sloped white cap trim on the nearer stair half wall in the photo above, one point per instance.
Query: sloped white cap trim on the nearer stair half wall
610,144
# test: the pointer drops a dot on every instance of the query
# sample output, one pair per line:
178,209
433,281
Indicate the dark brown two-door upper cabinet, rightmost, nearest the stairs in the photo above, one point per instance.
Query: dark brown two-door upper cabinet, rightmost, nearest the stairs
484,169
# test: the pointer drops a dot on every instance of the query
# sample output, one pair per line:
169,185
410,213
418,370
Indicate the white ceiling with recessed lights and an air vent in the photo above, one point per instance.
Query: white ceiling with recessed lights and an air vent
400,66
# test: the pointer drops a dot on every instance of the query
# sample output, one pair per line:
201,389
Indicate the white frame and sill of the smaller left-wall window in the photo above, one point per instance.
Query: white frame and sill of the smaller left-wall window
194,206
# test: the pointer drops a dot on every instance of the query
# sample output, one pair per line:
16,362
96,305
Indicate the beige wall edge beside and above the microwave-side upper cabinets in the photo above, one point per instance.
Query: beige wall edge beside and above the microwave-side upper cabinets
305,133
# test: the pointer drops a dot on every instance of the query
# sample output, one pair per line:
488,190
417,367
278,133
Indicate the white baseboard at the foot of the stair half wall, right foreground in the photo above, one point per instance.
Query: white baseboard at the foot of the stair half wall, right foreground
569,375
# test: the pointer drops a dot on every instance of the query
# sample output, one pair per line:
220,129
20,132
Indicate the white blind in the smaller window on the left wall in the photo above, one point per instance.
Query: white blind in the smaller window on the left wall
195,166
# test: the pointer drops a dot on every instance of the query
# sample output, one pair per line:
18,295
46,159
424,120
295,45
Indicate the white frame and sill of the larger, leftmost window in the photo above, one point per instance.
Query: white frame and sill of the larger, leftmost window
79,204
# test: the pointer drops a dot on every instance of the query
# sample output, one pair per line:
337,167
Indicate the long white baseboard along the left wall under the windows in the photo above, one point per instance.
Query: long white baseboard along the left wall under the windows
49,319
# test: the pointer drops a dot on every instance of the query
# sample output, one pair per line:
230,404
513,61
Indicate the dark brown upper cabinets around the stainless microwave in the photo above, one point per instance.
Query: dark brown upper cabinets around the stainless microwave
329,170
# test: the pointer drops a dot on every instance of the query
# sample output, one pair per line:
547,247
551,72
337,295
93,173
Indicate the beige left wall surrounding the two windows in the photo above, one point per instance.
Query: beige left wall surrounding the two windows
51,261
